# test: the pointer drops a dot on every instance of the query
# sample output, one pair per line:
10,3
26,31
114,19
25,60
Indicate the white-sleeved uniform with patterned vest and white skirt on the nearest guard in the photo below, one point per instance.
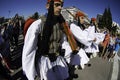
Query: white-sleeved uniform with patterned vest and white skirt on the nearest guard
47,70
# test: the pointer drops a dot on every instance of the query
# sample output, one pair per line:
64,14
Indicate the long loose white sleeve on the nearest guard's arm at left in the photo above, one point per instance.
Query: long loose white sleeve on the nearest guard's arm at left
29,50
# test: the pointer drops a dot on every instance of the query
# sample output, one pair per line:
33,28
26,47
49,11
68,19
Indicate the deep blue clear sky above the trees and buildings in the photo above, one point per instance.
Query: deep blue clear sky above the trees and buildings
29,7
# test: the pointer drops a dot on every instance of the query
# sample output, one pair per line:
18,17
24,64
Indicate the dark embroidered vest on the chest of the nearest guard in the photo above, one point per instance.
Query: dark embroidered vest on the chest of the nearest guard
55,39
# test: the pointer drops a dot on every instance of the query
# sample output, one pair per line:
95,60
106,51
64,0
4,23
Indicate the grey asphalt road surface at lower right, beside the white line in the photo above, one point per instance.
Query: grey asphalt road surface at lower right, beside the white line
100,70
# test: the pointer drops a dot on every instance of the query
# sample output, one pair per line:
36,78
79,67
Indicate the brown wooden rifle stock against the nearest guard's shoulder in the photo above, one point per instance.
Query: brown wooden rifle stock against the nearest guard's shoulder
70,37
